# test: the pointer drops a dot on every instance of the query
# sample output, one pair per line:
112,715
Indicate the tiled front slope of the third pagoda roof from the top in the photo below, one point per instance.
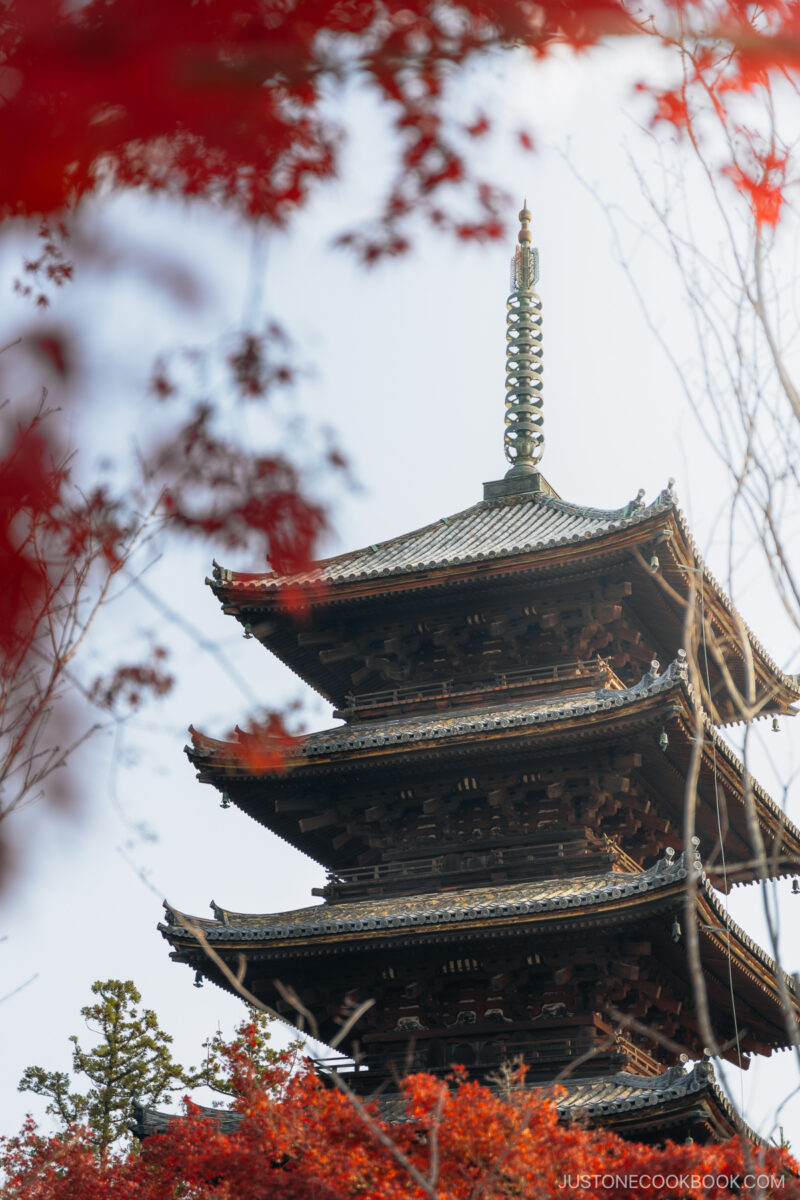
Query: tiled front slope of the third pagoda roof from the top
440,908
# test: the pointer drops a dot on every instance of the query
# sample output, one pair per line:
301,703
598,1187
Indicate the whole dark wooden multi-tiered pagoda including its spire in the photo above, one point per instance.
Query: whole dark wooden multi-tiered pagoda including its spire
502,807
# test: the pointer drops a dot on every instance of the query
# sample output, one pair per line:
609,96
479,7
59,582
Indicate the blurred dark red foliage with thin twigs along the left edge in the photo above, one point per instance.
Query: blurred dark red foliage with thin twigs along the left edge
61,549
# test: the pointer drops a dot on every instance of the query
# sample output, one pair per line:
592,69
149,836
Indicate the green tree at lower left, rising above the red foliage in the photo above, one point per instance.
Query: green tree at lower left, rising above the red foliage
131,1061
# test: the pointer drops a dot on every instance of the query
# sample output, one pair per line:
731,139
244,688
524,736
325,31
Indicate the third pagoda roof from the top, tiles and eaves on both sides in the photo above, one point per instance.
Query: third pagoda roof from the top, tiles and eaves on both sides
539,910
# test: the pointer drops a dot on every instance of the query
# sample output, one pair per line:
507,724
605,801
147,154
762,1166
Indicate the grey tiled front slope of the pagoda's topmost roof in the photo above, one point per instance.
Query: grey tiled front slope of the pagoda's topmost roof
486,531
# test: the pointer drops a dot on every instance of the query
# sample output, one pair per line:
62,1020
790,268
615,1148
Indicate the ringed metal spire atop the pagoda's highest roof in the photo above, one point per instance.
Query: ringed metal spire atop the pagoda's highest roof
525,441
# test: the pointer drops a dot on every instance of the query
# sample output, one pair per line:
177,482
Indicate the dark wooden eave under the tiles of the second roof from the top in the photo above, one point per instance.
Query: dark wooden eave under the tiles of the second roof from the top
721,775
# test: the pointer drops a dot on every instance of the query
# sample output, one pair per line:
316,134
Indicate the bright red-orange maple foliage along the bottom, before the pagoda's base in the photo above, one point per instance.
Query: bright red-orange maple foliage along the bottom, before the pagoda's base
299,1139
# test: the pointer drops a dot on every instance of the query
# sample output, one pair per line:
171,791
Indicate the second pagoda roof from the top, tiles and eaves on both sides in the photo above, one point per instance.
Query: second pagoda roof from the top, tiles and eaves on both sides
659,701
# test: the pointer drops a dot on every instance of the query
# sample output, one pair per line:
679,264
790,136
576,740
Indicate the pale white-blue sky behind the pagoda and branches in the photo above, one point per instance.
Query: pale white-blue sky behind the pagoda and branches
408,369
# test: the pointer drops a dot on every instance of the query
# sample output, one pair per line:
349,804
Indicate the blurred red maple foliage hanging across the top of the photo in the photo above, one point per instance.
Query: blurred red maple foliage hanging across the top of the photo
226,100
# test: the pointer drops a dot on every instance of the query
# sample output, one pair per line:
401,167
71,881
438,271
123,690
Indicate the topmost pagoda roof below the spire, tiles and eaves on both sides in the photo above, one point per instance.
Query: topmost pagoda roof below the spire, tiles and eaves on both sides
533,536
